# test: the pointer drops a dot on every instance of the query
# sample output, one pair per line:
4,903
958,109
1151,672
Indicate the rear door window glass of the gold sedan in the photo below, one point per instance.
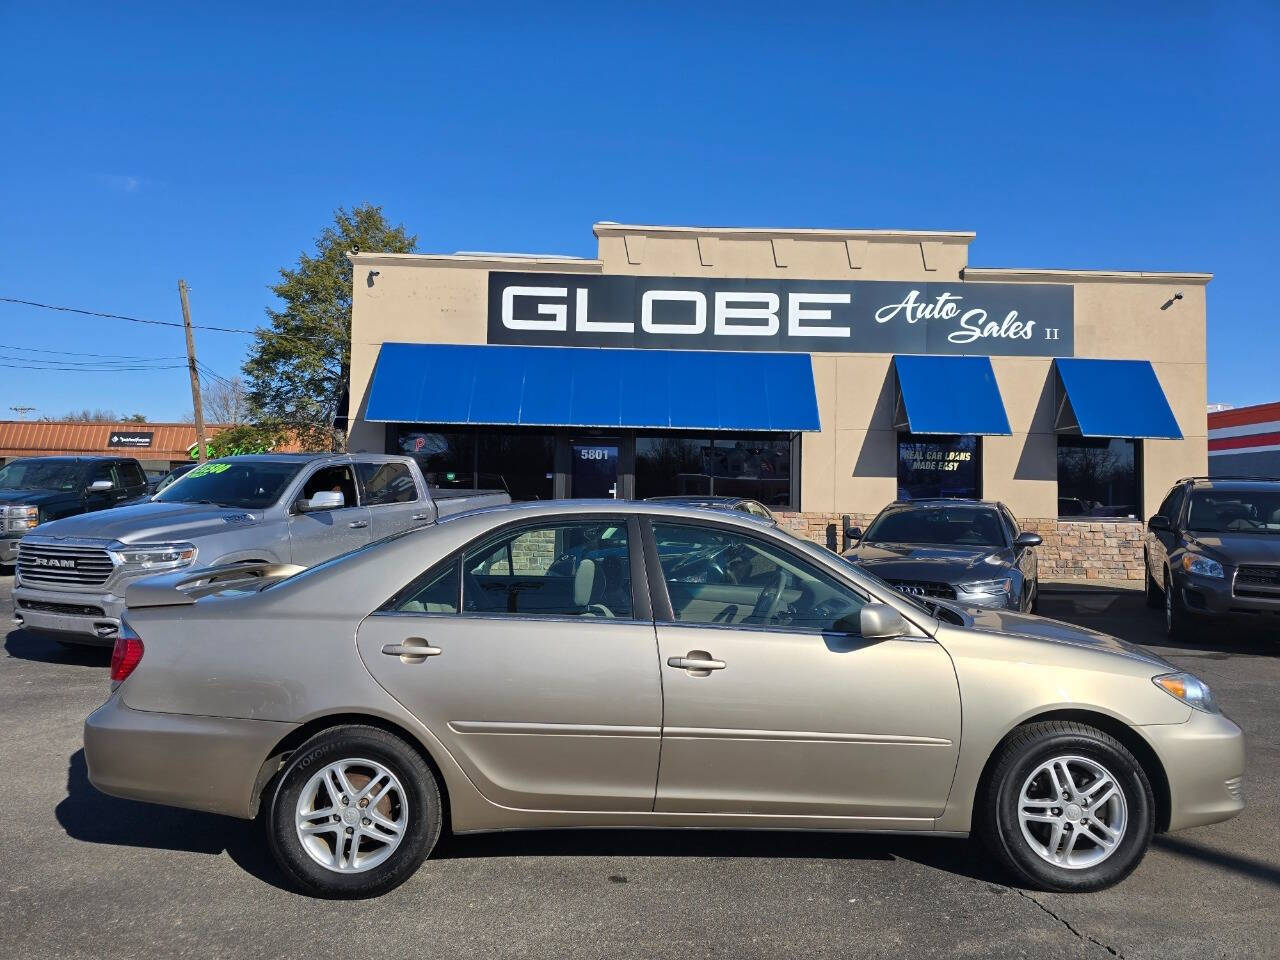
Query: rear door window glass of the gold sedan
565,570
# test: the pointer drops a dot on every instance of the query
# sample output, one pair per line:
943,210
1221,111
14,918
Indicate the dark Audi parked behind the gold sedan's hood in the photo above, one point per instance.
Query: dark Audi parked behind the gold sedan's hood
966,551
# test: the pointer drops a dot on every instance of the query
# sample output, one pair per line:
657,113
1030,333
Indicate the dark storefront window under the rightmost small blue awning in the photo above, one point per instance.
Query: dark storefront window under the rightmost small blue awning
1098,477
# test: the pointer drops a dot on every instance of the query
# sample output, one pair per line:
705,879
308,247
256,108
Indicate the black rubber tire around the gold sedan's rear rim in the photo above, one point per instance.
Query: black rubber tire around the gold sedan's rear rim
422,802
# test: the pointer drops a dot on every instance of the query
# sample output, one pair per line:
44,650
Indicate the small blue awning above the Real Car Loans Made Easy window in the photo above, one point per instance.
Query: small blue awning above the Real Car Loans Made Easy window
940,395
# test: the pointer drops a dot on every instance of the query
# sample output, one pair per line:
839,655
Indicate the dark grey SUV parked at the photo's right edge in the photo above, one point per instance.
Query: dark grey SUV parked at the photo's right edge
1213,555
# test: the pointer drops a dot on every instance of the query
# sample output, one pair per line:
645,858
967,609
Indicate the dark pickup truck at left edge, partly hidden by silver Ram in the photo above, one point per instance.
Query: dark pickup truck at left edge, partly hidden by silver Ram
39,490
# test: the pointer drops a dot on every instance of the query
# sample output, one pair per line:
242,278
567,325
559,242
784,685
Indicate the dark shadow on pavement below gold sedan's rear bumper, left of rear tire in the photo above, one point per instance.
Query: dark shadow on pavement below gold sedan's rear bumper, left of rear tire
94,817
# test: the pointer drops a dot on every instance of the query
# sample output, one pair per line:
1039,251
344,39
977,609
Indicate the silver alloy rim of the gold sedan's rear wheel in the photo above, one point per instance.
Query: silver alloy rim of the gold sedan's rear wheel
351,816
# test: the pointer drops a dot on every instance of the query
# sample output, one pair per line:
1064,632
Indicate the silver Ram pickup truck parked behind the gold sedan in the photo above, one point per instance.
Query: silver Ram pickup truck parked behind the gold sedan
272,509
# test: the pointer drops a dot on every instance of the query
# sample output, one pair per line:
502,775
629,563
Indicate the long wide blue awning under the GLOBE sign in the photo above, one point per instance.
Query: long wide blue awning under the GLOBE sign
442,383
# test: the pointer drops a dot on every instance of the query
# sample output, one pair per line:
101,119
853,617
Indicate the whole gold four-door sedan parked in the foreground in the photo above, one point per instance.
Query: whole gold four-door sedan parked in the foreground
642,665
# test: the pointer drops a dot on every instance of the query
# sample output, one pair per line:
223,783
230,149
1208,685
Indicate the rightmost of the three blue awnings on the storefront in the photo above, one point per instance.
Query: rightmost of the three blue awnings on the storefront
1113,399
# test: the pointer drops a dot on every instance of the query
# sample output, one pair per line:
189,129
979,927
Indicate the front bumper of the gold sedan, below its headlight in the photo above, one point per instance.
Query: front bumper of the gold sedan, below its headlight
1204,761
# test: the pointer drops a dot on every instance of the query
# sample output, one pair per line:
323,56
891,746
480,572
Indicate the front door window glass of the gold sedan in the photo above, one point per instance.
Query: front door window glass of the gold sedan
720,577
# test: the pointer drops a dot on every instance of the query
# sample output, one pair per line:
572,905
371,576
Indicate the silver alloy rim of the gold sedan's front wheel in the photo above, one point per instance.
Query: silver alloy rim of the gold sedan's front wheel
1073,812
